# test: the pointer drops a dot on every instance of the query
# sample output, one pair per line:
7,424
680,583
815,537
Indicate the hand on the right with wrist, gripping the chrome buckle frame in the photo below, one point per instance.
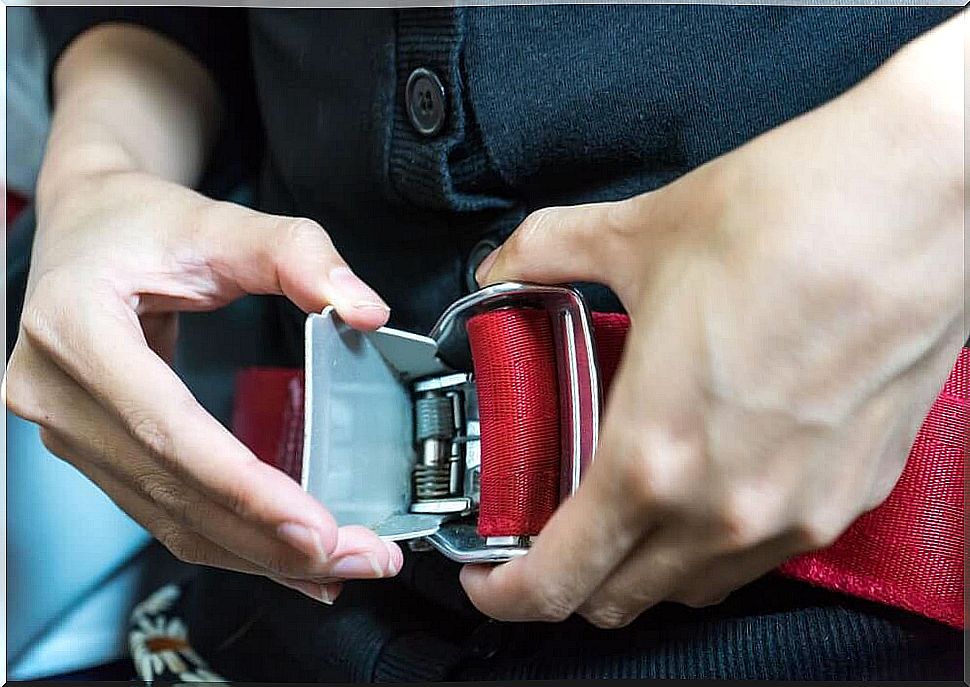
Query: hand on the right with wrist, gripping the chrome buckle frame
796,306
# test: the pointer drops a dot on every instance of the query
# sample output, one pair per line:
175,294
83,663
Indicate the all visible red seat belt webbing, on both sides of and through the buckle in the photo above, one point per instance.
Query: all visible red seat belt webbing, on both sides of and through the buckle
907,553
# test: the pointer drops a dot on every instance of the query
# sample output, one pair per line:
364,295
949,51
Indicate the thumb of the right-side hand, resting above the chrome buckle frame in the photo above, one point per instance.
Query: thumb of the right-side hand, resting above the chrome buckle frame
563,244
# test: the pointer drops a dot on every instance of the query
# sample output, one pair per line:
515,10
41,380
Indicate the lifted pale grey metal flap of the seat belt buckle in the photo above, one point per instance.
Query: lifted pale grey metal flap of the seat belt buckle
358,443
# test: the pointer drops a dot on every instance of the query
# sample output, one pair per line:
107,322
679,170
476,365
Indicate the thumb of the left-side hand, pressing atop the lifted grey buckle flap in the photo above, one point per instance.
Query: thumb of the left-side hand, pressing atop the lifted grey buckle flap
293,257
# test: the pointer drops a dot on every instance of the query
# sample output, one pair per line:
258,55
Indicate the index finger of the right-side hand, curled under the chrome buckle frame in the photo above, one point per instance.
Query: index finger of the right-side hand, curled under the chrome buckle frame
622,497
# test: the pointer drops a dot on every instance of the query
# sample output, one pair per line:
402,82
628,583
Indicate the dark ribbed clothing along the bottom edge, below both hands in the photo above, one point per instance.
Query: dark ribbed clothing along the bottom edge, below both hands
774,628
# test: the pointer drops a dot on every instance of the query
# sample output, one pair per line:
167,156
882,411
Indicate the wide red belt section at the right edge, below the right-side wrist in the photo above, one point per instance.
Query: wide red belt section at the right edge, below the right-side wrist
909,552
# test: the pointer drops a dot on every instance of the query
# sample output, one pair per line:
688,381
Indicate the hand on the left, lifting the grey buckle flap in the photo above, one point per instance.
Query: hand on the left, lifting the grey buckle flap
116,256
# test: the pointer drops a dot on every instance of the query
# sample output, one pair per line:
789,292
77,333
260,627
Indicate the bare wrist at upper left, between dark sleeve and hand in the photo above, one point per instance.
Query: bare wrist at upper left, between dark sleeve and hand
128,100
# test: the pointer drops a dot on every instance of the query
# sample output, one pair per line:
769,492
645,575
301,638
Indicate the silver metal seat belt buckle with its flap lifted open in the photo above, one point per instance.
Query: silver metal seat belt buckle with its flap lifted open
391,426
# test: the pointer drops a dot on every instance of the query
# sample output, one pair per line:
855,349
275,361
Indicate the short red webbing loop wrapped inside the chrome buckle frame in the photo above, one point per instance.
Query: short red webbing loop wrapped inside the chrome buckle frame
519,420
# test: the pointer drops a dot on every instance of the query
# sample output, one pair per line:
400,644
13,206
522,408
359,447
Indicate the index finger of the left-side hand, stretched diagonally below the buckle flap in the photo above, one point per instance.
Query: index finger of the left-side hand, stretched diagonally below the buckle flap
108,356
